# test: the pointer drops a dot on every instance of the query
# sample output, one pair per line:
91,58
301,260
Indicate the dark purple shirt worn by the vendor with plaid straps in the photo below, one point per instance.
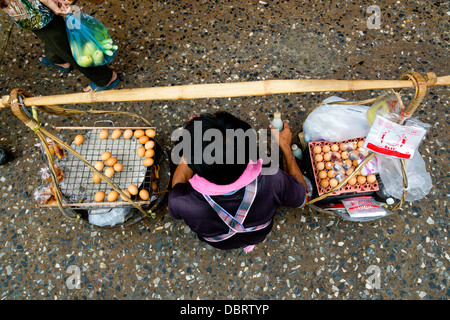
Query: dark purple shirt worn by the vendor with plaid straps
280,189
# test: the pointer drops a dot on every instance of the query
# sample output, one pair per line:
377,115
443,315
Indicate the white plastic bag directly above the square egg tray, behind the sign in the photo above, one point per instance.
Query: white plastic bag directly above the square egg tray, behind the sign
335,122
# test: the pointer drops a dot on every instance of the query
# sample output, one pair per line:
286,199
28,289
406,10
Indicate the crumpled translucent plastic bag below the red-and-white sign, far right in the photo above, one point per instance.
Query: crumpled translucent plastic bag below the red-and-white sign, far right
419,180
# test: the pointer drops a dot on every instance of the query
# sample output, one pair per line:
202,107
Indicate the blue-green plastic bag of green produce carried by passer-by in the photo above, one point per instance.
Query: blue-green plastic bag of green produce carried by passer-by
89,39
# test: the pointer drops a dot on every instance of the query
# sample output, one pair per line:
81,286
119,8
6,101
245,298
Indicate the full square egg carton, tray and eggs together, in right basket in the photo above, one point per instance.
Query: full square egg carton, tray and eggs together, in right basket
335,156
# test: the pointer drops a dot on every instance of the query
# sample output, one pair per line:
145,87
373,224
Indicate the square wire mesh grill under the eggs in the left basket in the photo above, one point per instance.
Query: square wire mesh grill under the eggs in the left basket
78,185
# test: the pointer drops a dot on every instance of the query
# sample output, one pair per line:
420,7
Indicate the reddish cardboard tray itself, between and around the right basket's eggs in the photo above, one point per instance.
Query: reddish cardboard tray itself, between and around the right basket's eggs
356,188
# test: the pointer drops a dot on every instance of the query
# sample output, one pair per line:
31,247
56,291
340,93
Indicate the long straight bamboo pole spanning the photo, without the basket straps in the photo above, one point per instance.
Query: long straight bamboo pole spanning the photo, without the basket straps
225,90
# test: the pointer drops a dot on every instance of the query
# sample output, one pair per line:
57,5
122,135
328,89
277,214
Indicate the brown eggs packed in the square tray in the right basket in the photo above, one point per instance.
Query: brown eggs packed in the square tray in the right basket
334,162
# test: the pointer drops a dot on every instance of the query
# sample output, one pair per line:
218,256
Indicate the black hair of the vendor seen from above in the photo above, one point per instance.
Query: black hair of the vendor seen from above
227,171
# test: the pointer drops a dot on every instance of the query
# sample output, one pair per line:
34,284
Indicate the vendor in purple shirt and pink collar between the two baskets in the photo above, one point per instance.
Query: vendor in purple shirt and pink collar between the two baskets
227,202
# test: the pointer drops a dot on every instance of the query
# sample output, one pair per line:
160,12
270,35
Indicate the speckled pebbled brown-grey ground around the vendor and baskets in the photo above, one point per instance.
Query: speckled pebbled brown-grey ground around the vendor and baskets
307,255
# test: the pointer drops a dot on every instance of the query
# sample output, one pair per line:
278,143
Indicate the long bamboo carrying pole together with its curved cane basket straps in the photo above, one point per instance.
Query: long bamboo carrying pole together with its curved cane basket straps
237,89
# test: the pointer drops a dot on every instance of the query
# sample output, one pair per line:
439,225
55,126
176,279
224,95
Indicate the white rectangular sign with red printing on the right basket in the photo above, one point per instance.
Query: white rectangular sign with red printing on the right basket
392,139
